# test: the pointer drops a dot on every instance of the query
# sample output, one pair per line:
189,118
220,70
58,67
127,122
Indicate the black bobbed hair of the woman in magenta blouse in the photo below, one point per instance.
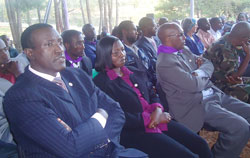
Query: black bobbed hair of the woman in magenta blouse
103,53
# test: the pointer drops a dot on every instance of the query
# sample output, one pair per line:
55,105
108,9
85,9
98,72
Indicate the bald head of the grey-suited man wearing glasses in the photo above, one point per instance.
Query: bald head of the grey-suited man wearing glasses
171,34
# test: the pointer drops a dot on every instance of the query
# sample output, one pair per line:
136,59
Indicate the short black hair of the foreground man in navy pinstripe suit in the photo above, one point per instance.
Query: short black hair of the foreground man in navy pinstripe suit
26,36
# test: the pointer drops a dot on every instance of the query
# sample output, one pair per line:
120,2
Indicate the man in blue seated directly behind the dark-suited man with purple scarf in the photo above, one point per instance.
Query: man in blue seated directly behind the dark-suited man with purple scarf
90,42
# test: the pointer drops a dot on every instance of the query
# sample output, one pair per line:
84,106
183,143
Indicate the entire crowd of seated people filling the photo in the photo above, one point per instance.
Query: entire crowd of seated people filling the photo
141,91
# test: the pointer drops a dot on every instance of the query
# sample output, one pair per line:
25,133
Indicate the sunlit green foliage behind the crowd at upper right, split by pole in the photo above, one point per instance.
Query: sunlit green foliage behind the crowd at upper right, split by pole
179,9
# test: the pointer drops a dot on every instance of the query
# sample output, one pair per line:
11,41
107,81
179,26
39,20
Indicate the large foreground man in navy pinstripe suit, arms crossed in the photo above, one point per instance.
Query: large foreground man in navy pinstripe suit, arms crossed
58,112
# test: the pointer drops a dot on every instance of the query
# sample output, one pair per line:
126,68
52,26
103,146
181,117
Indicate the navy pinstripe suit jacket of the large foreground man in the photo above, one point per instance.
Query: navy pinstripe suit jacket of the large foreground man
33,105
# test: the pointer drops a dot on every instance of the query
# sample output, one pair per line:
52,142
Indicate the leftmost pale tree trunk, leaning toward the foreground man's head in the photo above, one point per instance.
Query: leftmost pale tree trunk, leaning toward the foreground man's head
13,14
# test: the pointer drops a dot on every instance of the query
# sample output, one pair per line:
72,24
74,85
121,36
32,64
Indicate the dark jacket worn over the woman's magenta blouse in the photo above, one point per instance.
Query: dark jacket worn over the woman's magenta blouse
121,92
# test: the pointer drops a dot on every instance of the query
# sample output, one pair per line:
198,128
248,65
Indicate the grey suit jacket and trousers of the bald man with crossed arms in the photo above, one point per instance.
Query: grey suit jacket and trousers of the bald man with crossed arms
187,105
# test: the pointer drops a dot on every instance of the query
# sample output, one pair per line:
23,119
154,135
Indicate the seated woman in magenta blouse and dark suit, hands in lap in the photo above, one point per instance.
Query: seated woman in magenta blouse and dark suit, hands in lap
147,127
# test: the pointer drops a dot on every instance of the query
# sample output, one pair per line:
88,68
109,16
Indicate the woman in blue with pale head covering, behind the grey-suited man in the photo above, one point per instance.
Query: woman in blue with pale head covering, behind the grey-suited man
192,41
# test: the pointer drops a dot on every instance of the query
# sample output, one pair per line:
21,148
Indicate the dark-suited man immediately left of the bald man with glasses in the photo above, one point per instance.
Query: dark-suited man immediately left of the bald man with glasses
148,44
